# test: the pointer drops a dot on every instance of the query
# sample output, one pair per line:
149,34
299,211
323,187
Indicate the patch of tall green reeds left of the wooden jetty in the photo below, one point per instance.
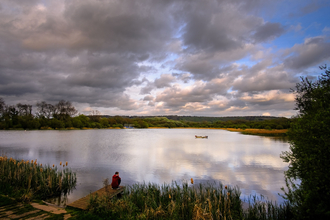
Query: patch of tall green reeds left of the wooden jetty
30,179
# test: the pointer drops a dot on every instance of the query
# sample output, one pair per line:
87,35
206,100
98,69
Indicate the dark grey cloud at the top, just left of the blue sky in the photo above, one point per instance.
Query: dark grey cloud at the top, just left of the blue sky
207,26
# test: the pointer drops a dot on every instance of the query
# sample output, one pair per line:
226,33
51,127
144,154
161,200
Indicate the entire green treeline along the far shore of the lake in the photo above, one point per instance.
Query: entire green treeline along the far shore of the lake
63,115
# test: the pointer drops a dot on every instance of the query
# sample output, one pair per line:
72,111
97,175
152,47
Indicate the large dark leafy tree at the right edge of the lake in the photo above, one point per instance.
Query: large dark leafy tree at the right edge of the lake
308,176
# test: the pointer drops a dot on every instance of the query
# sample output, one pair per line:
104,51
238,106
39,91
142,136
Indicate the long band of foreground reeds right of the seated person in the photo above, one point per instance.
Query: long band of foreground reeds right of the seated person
184,201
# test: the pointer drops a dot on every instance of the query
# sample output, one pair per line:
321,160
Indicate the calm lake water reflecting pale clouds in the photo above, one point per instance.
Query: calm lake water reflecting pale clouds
157,156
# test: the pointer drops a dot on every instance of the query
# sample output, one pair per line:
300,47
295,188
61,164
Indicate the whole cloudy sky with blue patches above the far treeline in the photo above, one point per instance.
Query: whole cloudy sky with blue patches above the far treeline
162,57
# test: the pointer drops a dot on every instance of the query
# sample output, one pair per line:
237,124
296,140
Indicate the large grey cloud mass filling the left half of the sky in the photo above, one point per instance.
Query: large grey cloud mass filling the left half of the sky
89,50
